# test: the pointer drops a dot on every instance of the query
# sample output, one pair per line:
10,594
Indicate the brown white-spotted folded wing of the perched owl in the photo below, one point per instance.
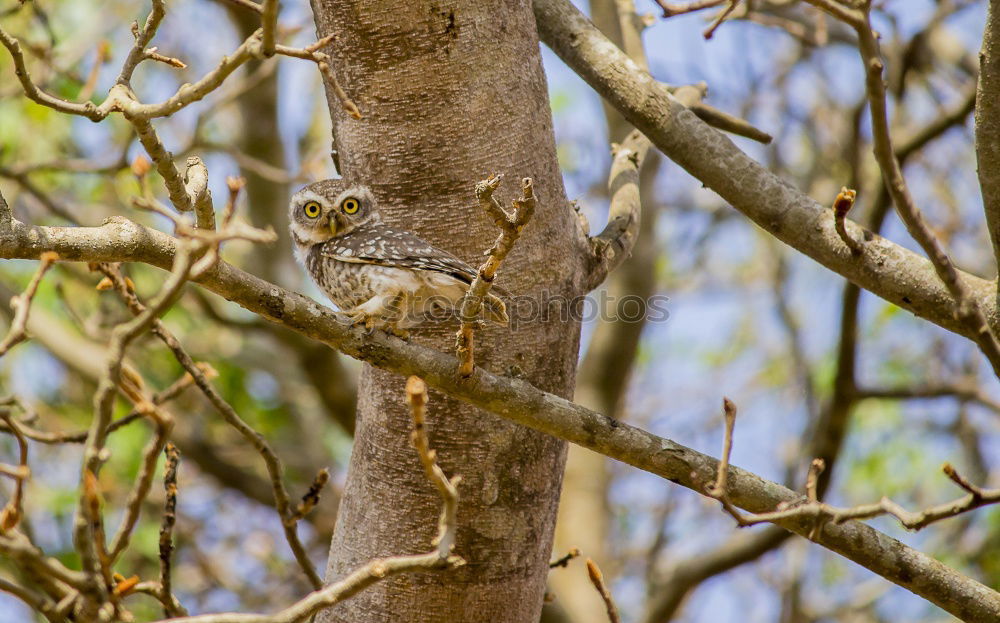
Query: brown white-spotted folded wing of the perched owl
387,247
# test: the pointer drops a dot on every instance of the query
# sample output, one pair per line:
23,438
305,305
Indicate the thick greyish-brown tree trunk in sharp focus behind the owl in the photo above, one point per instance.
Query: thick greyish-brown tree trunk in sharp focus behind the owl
451,92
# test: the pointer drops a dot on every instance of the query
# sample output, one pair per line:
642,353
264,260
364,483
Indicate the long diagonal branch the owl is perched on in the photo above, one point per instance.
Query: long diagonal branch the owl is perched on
518,401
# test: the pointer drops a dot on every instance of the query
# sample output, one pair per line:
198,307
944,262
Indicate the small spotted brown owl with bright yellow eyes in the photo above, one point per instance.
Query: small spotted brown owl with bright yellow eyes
381,277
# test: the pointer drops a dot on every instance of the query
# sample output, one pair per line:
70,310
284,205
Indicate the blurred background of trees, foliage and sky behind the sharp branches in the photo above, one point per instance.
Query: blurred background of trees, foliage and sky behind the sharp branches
818,367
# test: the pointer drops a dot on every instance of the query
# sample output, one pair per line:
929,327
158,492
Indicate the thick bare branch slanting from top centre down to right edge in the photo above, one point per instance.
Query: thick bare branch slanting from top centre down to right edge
887,269
